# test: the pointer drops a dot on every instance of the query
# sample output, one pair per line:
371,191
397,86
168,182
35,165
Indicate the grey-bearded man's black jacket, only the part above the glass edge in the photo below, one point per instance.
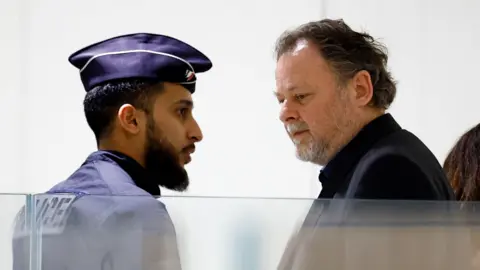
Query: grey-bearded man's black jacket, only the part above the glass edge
384,161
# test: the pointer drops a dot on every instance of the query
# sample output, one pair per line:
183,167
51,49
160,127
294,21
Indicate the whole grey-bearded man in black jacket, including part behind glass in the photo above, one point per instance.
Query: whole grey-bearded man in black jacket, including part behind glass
334,88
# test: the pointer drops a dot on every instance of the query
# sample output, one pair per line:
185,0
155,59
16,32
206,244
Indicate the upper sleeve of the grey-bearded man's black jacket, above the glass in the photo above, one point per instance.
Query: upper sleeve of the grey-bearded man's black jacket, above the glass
390,172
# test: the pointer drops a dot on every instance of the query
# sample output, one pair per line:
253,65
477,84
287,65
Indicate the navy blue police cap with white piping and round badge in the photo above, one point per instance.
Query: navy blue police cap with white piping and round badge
140,56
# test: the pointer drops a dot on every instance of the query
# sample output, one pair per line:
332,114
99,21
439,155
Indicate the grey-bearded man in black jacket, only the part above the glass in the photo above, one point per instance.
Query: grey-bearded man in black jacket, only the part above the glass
334,89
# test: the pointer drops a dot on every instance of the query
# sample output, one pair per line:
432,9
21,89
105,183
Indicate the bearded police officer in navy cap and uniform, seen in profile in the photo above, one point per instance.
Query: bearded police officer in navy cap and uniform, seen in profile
139,105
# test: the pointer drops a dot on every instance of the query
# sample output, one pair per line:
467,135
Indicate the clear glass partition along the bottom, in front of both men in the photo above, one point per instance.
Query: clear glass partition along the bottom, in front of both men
96,232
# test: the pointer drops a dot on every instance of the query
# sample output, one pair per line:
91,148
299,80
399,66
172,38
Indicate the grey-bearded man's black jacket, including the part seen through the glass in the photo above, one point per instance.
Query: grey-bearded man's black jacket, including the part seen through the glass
382,164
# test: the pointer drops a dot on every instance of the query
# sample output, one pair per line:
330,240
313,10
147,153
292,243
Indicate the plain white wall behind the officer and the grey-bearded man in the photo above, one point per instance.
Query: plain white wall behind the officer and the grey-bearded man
44,137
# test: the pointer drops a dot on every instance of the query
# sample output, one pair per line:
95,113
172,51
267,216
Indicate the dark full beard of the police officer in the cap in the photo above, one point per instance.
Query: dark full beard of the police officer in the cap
162,162
